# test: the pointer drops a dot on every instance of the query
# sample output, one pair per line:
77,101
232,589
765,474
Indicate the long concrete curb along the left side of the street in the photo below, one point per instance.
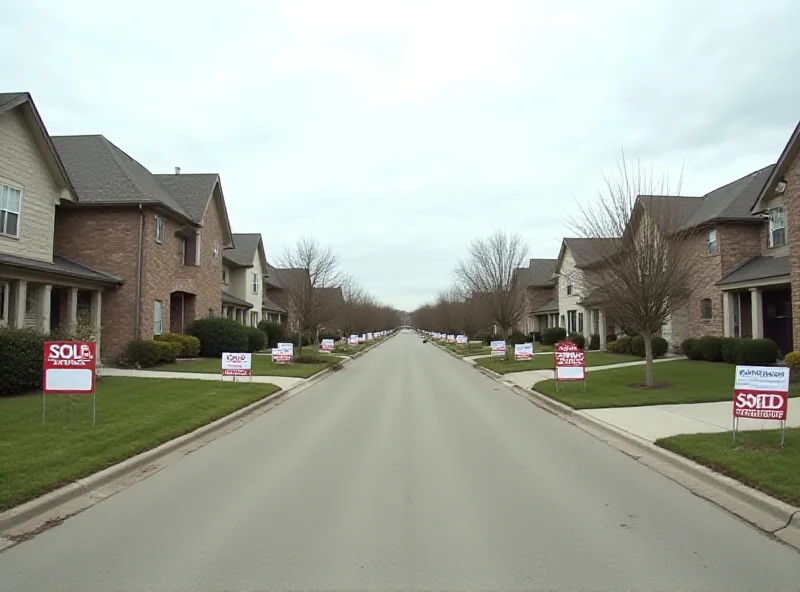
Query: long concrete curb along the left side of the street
29,510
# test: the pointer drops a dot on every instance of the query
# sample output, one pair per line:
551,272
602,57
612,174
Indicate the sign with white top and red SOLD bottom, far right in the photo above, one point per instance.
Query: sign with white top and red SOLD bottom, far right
761,392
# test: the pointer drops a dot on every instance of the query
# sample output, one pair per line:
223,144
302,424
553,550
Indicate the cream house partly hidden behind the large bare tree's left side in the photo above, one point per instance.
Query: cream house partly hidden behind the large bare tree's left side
580,311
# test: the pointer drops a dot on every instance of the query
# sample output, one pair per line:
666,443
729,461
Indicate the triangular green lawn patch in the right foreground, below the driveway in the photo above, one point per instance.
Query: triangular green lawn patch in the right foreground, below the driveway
756,460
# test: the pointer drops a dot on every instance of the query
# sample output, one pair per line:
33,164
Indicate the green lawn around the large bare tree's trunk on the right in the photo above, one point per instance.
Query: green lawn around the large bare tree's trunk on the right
683,382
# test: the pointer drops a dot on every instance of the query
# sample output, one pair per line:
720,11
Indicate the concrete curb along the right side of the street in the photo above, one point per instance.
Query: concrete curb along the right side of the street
782,513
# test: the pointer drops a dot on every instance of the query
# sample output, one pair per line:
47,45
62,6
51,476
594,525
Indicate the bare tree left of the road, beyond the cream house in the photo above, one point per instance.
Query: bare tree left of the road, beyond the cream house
311,279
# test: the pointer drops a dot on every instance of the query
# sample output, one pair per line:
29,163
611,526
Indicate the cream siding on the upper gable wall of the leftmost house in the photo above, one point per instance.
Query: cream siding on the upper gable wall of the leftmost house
22,166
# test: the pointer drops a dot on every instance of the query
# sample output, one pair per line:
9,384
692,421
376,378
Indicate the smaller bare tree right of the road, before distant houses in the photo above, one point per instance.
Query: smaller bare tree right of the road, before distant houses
490,276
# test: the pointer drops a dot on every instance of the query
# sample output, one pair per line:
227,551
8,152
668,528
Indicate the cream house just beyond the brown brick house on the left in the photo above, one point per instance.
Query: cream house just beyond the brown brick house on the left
243,271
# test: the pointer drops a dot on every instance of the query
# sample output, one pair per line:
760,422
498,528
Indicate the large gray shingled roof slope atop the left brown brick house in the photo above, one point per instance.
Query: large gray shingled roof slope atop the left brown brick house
103,174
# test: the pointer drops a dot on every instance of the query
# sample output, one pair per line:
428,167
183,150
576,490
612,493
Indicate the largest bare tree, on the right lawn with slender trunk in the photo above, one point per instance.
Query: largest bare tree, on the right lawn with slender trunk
647,271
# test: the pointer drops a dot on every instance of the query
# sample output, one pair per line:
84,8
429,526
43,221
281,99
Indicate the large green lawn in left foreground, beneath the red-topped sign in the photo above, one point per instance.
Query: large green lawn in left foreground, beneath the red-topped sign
133,415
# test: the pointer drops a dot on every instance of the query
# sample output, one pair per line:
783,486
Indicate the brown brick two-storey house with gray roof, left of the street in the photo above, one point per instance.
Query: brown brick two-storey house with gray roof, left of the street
162,234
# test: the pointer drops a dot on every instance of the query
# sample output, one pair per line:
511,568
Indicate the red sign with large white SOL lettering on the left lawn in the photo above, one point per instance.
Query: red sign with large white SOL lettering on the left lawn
69,367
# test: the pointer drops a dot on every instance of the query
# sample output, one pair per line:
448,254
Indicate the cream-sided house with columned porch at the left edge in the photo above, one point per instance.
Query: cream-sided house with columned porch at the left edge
38,288
